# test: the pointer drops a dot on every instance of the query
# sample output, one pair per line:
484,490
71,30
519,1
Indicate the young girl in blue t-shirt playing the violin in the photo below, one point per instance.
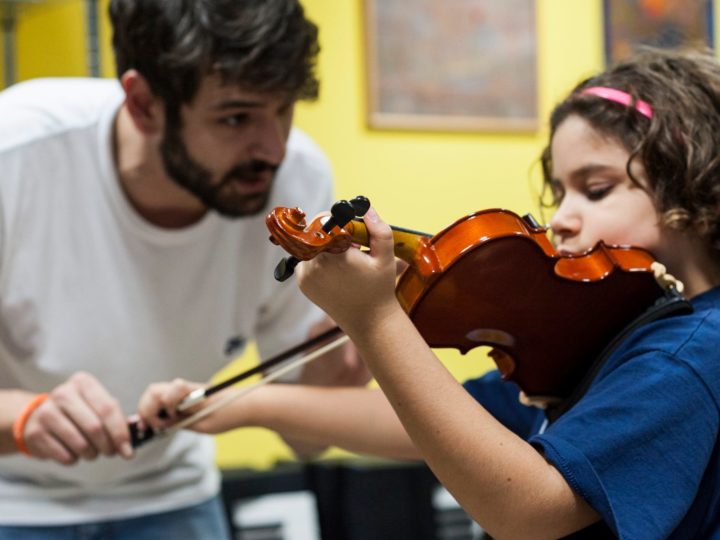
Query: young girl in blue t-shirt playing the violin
633,159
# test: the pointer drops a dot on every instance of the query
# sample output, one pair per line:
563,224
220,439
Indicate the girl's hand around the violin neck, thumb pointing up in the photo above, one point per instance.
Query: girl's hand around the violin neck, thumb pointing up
354,286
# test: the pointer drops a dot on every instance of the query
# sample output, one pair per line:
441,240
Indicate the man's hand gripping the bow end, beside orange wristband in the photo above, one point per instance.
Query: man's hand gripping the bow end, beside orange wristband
79,421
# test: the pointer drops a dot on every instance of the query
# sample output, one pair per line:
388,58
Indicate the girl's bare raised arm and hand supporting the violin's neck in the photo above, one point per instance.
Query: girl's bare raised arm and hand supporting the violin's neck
500,479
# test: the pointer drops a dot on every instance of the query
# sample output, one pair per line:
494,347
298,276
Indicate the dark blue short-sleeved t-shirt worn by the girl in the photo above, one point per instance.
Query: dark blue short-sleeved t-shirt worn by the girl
641,446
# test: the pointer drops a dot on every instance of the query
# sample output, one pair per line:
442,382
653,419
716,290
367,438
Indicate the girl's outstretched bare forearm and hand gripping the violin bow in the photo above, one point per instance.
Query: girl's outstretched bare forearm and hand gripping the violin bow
357,419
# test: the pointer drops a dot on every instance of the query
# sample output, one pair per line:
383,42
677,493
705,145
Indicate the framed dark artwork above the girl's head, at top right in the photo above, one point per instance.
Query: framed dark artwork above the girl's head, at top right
630,24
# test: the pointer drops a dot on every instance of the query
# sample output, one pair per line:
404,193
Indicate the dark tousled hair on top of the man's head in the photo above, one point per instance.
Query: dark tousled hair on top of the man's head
260,45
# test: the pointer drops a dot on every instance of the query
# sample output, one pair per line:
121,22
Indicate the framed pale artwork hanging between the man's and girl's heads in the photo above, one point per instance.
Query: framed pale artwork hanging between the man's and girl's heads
452,65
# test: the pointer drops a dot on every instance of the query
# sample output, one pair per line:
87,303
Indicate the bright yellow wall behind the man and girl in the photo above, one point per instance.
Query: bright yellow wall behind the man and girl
420,180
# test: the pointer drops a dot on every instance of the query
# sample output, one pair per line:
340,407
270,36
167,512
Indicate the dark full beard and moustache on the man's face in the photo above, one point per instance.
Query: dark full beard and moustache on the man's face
196,179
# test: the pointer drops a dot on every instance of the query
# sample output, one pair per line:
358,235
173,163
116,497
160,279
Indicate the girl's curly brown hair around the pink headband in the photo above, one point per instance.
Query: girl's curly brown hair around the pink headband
679,146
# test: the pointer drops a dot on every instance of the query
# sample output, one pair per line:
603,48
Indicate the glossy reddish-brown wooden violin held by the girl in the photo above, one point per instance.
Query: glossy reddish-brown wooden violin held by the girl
493,278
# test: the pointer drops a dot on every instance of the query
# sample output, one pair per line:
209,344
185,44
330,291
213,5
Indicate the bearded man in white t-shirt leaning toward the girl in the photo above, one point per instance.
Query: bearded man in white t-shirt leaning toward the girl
133,249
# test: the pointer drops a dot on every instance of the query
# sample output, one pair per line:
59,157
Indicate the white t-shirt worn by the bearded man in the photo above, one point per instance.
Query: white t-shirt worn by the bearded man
87,284
